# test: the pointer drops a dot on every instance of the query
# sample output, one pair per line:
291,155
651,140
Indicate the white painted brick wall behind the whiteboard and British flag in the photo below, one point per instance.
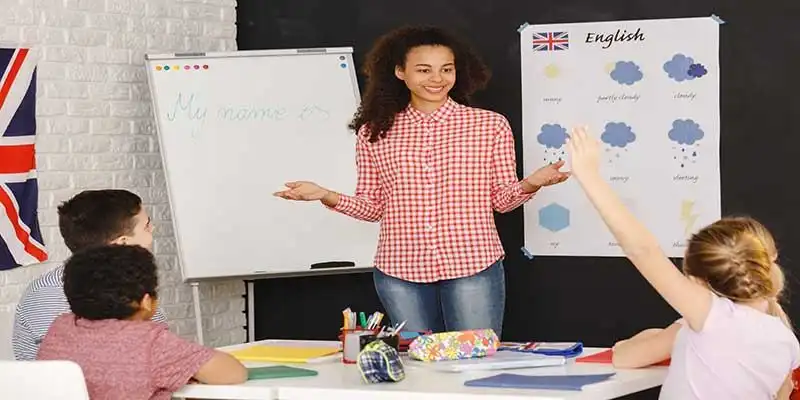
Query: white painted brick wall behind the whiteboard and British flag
95,128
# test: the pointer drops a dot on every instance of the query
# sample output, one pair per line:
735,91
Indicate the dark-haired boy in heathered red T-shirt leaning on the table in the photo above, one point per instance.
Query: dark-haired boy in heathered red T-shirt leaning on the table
112,291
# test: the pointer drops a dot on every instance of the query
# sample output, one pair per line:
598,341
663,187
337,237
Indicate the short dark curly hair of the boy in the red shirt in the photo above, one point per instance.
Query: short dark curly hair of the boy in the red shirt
107,282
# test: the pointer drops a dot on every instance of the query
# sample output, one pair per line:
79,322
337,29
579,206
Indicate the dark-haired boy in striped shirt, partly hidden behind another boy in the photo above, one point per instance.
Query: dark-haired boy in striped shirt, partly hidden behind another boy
91,218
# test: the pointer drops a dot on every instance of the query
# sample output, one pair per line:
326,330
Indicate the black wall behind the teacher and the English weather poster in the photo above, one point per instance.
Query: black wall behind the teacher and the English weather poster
596,300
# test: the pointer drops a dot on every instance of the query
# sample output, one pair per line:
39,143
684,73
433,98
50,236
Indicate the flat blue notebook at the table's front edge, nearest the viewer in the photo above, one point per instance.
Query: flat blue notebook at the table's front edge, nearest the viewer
547,382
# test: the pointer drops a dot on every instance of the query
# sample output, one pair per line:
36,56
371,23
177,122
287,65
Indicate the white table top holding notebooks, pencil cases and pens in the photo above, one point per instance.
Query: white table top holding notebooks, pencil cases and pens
337,381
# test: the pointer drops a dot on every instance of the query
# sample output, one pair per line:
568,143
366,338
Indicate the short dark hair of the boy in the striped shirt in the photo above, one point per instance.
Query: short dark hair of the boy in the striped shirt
95,217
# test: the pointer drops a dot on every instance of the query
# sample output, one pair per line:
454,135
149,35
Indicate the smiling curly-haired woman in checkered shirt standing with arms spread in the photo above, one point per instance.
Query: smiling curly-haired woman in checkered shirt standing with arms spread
432,170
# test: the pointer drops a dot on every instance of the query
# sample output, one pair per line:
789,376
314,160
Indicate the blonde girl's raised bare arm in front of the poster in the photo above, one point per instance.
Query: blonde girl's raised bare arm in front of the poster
691,300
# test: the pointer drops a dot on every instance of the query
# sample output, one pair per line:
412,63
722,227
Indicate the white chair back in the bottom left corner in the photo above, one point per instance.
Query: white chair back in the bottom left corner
51,380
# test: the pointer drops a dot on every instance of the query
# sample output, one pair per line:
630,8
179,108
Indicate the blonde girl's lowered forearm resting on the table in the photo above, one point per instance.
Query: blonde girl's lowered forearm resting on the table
646,348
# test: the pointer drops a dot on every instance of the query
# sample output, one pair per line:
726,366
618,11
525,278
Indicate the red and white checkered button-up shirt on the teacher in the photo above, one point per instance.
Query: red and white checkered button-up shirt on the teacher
433,183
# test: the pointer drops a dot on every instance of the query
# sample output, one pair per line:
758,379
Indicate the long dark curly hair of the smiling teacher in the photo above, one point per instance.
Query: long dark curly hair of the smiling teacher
385,95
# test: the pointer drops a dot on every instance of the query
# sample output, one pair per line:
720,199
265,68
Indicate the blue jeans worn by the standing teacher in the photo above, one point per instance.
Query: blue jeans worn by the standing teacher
473,302
